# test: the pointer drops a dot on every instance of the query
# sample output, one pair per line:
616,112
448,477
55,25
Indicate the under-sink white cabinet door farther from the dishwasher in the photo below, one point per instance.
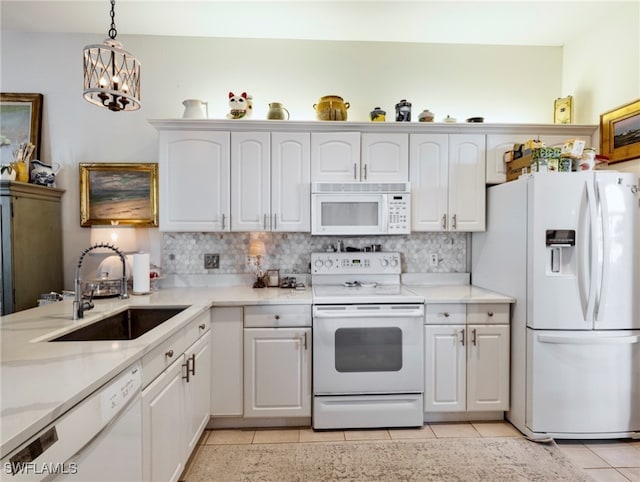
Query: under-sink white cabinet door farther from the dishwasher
197,391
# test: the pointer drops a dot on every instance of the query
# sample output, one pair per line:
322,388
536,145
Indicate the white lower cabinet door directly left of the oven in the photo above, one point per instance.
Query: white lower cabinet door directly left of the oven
277,372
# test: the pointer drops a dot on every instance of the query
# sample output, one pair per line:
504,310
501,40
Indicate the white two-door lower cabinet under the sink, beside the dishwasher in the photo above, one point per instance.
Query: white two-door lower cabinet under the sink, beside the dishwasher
175,405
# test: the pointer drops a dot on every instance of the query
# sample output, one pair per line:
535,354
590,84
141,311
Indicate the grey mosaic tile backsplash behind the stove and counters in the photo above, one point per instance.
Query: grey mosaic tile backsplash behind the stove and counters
183,253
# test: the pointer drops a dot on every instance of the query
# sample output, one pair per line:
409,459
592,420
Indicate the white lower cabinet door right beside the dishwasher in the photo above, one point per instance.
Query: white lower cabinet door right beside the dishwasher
162,425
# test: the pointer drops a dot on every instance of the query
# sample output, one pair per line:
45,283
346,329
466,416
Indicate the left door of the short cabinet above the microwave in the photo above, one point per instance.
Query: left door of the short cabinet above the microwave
335,156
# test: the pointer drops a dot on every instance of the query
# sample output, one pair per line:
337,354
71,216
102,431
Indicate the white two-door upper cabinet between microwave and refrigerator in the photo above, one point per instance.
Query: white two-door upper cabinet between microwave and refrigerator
447,176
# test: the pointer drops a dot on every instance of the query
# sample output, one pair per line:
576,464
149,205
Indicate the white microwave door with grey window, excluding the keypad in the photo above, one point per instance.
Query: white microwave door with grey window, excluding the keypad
345,214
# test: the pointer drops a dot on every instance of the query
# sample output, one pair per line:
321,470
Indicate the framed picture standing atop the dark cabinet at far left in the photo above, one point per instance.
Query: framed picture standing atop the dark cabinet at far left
20,121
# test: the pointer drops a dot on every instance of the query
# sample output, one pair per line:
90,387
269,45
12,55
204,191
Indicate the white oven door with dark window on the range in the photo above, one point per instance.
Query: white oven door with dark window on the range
368,349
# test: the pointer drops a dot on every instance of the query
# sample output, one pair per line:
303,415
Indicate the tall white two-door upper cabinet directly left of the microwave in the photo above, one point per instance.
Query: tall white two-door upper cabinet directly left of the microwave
270,181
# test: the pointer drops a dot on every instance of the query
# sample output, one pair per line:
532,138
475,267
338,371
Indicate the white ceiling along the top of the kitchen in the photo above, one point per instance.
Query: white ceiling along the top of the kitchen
541,23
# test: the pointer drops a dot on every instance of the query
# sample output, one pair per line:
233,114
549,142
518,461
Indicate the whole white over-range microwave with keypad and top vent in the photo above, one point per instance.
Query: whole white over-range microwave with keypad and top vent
360,208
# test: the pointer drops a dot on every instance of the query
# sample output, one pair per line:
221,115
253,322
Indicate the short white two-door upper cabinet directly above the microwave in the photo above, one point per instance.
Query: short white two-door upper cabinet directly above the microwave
351,156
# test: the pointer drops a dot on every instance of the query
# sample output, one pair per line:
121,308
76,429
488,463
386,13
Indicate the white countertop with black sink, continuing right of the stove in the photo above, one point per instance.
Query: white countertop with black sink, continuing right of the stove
39,381
